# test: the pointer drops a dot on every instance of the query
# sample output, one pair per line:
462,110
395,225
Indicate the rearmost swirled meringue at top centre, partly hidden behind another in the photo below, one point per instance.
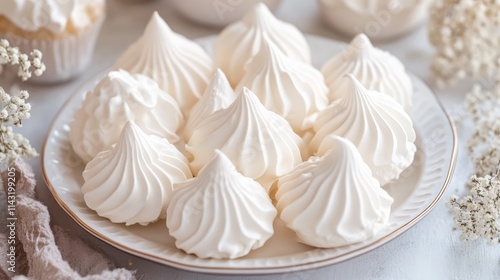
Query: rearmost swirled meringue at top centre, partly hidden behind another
239,42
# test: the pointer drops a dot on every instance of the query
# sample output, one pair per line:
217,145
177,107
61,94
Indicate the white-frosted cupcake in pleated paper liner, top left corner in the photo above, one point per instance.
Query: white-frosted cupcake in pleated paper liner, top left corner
65,31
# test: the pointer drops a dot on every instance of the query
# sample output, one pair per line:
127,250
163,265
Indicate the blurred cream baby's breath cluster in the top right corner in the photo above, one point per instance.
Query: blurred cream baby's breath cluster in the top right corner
465,35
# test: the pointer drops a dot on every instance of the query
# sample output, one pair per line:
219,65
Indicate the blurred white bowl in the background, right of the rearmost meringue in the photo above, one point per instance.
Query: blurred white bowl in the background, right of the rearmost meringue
379,19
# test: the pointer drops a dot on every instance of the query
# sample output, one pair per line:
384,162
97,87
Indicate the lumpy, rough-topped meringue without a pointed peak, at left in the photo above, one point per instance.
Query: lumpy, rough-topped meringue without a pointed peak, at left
117,98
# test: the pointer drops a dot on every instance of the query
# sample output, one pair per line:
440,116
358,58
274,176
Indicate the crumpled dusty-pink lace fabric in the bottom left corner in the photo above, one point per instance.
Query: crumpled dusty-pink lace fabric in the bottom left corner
45,253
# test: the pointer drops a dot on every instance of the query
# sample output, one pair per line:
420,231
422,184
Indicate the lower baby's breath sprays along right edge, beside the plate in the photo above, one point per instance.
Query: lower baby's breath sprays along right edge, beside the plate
477,215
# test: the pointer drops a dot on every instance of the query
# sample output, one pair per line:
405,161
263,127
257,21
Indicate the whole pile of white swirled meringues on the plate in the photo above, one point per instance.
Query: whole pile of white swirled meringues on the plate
165,136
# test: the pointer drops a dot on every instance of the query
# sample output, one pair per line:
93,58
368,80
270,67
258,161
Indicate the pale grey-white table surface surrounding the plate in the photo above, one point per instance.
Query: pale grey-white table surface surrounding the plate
429,250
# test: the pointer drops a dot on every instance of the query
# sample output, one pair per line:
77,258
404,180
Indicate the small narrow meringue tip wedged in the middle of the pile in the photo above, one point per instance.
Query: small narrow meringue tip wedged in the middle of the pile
218,95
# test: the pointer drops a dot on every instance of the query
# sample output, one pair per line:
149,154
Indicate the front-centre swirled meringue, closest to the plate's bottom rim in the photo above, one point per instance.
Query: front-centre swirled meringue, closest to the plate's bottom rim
220,214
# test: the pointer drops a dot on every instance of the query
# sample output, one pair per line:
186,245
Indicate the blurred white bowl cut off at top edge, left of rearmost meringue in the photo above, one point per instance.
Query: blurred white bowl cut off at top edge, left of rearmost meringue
218,13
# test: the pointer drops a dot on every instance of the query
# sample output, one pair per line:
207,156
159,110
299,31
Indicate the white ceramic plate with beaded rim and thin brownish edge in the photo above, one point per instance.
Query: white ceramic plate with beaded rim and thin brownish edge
415,194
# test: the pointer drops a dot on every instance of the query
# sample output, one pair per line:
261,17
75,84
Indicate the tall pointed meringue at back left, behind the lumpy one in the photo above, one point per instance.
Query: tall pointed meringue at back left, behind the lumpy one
181,67
